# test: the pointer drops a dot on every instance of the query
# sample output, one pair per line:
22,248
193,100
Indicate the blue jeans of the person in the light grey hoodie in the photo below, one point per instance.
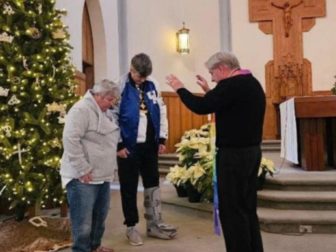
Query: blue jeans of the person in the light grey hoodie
89,205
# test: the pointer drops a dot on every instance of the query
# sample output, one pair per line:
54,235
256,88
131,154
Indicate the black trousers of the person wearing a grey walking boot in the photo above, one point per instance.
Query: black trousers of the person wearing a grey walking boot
142,161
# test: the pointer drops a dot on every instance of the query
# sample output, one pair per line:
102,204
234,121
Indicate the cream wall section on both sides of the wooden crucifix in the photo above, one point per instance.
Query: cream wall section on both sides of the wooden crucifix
255,48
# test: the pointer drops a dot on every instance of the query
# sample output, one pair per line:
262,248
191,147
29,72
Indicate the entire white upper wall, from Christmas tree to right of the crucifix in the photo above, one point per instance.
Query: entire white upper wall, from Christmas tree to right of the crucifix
151,26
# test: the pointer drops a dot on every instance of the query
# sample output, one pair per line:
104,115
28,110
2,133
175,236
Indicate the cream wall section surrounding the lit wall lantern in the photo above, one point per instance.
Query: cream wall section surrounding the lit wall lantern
152,27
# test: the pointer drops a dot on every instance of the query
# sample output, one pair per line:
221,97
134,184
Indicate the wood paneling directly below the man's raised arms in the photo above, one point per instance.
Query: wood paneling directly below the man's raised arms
180,119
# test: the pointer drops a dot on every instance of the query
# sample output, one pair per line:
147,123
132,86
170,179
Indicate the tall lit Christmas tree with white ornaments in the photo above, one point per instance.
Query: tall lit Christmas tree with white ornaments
36,89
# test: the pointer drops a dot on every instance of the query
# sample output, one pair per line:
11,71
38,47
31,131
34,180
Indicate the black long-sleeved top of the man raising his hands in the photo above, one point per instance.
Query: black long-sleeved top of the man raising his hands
239,106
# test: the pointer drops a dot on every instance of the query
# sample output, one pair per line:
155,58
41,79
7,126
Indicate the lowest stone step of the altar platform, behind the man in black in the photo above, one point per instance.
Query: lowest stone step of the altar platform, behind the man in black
271,220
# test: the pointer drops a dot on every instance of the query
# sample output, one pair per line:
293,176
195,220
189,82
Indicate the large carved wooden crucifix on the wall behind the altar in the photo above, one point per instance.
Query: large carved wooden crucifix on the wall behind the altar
289,73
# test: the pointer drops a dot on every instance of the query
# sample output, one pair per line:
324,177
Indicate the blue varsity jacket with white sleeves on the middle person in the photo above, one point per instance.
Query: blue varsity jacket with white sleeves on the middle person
132,123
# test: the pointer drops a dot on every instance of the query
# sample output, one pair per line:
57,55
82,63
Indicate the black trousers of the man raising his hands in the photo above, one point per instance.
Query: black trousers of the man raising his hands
237,170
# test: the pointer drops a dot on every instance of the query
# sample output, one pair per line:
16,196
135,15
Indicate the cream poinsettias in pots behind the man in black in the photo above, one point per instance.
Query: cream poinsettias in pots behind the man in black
194,170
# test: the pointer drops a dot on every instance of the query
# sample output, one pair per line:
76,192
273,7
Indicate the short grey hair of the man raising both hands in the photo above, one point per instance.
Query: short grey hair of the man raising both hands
222,58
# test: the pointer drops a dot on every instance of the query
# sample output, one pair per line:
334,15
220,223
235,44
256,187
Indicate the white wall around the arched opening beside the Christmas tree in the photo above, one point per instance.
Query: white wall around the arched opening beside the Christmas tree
104,21
